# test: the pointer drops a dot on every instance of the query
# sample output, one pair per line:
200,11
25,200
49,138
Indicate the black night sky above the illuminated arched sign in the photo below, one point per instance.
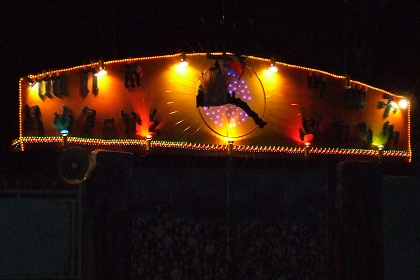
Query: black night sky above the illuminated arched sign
377,42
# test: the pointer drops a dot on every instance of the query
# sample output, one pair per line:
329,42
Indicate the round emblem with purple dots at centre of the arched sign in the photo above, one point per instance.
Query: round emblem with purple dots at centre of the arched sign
231,98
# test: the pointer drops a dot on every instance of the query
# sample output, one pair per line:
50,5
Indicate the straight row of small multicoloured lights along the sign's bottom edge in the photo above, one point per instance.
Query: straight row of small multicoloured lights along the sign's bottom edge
208,147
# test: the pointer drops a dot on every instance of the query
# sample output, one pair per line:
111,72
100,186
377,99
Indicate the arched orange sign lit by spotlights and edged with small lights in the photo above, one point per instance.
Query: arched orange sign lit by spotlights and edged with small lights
211,104
